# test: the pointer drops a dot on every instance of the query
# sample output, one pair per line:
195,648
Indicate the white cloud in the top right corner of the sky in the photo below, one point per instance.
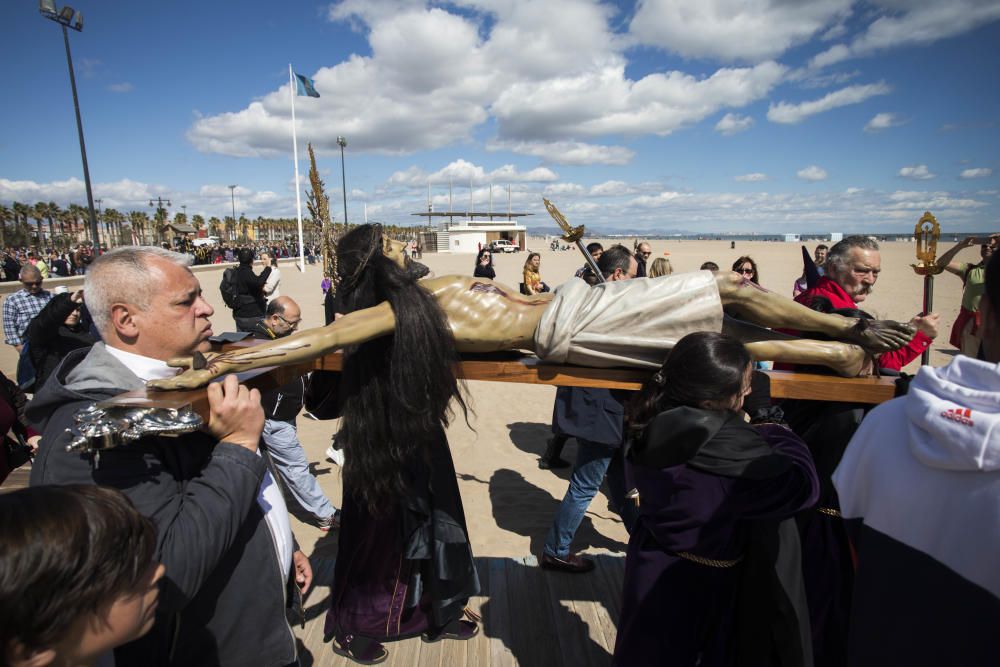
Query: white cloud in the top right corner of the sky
904,22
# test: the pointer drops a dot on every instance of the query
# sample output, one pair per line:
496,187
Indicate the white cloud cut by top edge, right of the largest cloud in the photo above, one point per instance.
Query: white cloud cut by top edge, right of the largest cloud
732,30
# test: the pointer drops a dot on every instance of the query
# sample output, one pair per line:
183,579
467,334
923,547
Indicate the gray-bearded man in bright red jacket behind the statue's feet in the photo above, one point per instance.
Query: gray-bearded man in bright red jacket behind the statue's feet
851,271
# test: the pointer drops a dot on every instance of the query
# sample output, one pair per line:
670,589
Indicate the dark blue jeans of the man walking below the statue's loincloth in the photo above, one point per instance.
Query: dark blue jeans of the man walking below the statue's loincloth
594,461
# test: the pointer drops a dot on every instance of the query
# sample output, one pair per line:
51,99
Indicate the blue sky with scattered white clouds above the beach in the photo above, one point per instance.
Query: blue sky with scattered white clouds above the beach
807,116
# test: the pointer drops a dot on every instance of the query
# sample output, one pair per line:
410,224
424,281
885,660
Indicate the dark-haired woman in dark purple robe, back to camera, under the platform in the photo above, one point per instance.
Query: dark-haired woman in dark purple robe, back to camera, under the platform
713,571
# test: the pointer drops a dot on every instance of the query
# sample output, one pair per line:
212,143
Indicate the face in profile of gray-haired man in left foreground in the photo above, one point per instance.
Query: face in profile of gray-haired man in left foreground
176,322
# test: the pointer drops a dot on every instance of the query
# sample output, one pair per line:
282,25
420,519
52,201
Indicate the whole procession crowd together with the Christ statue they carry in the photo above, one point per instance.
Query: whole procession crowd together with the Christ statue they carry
799,533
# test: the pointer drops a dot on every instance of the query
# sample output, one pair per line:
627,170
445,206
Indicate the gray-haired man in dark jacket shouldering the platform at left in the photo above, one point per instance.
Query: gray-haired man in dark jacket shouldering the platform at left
222,526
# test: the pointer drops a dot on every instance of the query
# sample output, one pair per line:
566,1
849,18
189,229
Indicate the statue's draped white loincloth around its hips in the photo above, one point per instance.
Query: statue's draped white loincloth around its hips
629,322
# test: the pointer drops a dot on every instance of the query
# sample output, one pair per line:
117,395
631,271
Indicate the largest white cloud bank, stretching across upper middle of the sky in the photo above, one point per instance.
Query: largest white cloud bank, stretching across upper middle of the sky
434,76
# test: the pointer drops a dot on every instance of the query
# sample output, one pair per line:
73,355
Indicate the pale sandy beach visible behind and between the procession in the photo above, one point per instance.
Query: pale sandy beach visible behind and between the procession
509,502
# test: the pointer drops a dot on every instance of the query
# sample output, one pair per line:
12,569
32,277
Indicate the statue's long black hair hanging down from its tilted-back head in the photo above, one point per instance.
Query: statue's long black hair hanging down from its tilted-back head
396,389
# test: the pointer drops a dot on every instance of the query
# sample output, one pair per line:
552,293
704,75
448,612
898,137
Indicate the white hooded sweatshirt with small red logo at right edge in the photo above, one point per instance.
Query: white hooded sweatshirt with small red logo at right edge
924,469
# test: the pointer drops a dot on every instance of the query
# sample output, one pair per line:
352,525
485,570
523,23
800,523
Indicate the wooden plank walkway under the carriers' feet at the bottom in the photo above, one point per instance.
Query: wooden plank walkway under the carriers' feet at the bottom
531,617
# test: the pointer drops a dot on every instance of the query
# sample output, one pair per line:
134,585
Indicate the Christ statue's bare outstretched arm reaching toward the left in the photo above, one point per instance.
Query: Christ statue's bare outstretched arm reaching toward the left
352,329
